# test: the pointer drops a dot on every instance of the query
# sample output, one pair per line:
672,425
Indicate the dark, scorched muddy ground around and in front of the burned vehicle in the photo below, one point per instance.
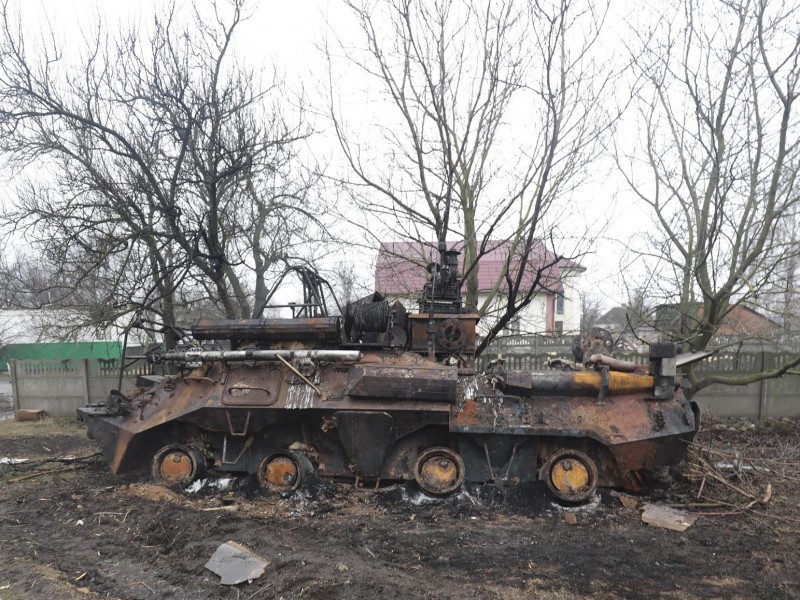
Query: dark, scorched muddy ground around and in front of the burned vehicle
84,533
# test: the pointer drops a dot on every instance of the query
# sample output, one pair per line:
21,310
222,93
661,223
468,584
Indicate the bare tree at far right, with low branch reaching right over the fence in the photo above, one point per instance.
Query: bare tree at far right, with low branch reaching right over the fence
716,108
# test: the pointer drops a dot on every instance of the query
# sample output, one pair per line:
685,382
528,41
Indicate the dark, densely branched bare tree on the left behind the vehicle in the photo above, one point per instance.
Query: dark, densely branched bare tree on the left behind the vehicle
159,160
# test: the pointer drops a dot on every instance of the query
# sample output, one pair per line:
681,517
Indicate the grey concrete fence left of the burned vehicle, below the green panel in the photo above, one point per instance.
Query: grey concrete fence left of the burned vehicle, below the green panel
59,387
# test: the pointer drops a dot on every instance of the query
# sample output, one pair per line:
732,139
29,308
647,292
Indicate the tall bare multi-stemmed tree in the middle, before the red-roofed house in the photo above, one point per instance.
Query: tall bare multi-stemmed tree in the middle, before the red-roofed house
491,117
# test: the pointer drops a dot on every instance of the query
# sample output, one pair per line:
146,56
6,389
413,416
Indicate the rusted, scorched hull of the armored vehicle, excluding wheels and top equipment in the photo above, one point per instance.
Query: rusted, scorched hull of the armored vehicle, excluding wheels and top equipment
370,421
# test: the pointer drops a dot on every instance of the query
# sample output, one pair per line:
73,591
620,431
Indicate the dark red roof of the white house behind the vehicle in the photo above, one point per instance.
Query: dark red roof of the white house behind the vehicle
401,266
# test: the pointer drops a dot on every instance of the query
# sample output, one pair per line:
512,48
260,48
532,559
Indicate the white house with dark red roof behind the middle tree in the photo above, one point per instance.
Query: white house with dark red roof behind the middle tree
401,272
